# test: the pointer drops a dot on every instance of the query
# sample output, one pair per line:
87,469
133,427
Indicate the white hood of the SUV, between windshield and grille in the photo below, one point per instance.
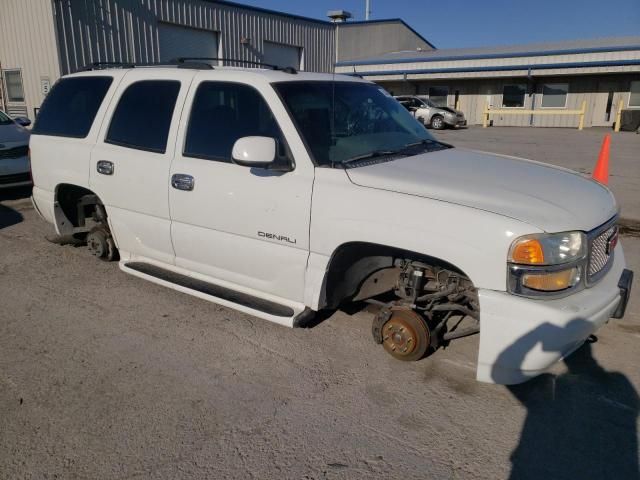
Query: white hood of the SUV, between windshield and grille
550,198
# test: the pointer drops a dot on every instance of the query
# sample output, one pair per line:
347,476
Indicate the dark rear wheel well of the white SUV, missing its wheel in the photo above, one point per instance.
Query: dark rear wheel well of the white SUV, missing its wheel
75,205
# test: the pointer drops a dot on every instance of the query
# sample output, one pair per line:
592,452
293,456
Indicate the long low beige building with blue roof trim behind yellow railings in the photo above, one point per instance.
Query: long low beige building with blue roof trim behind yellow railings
544,80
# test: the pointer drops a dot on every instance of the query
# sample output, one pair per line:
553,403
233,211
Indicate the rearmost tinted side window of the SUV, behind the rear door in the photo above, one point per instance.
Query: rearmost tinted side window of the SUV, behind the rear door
71,106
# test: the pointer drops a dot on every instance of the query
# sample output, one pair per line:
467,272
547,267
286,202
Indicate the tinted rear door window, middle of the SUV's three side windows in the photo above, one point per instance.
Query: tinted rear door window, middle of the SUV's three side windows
142,118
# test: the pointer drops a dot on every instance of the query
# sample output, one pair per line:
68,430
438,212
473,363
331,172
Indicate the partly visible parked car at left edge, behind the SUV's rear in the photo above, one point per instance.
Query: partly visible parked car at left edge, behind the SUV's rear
14,151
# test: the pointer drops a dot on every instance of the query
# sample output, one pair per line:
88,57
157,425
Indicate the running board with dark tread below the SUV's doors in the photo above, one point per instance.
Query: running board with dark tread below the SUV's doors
269,308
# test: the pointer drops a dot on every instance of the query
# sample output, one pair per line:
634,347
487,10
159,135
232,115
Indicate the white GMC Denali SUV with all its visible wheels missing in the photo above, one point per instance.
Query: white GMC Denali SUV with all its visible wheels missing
281,194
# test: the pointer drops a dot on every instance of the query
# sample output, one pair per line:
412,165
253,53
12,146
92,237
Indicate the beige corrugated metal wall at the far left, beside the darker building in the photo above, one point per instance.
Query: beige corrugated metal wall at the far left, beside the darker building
28,43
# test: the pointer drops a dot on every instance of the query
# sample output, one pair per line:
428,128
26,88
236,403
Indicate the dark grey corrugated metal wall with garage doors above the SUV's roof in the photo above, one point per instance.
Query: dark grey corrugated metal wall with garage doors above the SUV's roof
127,31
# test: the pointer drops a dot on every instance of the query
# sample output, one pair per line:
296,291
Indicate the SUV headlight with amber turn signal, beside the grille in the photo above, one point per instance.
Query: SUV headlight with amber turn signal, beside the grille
547,264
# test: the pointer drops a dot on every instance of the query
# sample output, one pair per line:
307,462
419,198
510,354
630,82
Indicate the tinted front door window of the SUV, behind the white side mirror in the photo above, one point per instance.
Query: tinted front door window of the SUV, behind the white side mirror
222,113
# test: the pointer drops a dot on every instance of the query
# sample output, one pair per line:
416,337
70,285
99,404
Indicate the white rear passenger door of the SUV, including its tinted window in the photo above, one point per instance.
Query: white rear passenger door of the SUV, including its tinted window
130,162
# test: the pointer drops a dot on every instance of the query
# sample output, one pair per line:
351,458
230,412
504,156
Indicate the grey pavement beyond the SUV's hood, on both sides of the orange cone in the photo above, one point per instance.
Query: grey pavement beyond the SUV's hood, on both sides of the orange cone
565,147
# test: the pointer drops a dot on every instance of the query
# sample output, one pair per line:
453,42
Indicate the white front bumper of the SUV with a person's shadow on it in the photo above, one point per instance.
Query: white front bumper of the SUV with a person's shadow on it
522,337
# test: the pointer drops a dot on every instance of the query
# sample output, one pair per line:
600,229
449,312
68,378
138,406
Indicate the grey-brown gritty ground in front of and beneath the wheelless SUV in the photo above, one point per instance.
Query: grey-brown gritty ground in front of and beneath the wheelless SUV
103,375
